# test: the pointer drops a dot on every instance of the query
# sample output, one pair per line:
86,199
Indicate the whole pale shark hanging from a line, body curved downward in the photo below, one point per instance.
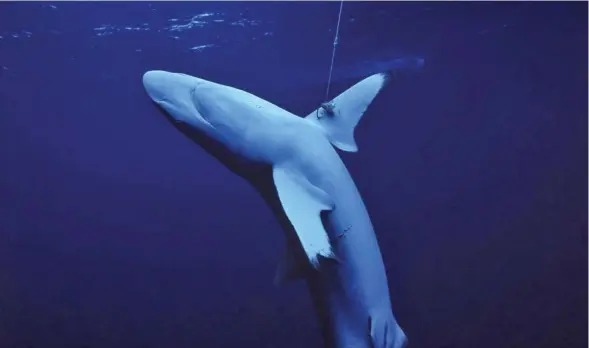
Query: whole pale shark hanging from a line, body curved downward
292,162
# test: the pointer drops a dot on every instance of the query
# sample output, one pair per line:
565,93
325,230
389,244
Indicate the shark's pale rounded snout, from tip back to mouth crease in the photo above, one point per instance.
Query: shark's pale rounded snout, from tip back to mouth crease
178,95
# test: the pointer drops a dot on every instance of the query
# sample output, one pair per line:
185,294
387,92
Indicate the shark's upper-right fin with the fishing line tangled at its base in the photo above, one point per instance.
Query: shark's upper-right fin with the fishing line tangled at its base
339,117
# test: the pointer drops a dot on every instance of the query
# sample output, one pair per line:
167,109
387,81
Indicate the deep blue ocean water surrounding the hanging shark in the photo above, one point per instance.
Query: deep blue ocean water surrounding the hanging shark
116,231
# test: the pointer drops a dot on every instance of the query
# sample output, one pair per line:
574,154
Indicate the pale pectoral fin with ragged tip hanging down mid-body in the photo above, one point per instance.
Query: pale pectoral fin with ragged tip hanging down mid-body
303,203
